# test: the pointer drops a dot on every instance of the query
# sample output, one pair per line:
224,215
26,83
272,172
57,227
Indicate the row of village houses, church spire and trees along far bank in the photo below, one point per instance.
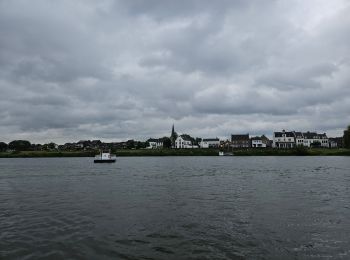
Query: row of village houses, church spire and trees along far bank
280,140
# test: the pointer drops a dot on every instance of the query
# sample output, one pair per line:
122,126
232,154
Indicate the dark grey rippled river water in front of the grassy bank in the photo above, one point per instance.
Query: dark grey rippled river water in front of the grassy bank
175,208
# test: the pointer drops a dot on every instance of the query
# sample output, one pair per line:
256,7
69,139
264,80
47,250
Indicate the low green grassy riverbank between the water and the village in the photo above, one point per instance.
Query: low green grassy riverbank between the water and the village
181,152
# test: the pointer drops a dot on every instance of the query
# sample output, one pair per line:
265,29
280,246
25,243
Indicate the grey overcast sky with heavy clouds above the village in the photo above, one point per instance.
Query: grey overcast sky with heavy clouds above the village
115,70
